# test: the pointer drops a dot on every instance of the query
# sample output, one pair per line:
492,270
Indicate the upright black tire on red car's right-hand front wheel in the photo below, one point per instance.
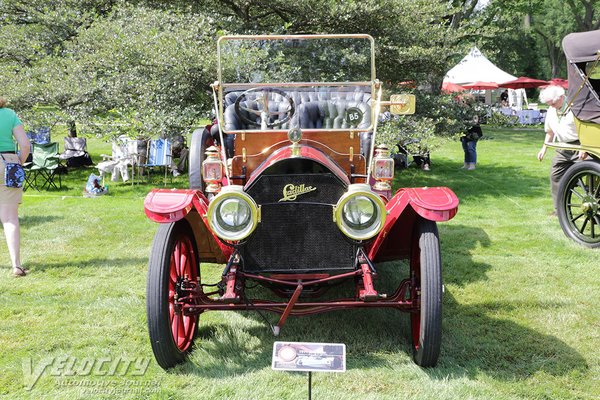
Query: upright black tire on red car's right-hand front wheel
426,269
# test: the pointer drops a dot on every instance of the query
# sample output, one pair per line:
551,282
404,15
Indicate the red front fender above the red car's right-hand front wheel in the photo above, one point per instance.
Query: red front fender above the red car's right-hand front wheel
394,241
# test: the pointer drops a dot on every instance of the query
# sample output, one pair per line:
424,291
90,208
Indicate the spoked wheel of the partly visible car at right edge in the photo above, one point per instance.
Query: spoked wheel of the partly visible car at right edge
580,186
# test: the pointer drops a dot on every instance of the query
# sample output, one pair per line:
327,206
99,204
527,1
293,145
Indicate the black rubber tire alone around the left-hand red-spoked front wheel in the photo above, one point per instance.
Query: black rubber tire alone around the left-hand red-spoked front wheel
166,352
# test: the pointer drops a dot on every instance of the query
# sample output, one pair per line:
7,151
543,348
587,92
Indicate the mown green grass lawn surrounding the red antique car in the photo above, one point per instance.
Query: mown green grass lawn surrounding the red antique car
521,301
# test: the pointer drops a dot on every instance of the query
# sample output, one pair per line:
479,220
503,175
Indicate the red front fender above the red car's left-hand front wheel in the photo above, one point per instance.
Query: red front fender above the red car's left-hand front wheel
171,205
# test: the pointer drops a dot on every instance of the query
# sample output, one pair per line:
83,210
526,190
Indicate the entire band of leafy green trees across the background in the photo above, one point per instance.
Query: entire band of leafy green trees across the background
145,66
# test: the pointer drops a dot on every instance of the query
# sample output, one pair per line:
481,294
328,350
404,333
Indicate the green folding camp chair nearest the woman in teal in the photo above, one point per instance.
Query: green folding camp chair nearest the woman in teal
45,165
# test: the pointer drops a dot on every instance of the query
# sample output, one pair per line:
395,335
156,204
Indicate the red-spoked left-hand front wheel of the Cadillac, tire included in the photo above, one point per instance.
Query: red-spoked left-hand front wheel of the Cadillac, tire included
174,258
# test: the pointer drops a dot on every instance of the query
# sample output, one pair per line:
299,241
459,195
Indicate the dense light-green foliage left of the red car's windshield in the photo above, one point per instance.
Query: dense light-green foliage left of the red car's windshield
145,69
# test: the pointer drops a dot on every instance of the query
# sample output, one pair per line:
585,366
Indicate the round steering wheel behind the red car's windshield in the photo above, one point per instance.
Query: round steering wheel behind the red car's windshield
263,110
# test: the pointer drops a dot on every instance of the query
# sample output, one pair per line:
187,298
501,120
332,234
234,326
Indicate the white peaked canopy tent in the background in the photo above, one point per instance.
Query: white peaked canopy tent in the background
475,67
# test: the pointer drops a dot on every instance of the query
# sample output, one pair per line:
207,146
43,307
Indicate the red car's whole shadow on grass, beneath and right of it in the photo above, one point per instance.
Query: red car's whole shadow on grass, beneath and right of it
474,341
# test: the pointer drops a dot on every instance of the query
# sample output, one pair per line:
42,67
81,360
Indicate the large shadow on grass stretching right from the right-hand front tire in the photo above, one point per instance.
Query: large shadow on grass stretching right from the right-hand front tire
475,342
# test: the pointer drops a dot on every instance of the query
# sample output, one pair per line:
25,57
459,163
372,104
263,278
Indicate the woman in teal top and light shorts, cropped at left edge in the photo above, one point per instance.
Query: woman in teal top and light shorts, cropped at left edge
11,129
